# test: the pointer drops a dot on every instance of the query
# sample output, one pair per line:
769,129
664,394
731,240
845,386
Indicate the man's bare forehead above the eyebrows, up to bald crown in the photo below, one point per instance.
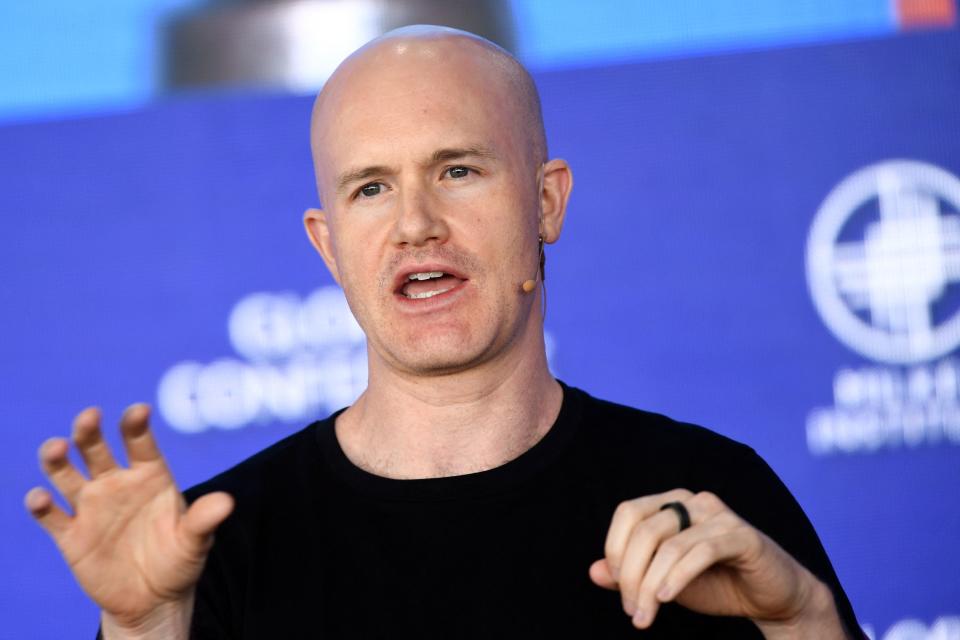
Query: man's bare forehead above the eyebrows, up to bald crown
392,105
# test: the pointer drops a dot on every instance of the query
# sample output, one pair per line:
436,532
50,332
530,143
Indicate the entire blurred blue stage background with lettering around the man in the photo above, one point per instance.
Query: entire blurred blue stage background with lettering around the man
764,238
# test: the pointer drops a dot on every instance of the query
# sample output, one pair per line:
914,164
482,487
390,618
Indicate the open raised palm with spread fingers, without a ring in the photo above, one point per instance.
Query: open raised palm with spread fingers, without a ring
131,542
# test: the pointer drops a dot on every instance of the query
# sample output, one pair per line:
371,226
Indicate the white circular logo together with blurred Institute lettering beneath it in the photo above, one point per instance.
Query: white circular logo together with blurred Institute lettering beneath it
883,291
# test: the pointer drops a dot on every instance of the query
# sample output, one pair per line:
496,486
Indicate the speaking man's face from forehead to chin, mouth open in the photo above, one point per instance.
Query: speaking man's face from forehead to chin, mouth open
424,170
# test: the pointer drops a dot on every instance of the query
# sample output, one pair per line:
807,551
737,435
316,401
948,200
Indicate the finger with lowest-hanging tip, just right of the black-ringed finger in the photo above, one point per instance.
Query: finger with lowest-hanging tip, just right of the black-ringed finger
667,556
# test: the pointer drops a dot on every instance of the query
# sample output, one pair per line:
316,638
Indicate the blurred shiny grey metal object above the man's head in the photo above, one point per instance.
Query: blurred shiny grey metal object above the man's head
296,44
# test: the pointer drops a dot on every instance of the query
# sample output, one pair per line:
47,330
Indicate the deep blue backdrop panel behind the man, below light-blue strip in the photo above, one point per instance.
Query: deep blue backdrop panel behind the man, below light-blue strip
159,255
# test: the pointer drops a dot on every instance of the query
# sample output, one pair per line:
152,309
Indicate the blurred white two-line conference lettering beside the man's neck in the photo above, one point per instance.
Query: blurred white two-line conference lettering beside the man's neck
299,359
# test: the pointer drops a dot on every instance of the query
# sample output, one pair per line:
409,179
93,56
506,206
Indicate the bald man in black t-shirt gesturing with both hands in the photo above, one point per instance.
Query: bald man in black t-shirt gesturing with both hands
466,493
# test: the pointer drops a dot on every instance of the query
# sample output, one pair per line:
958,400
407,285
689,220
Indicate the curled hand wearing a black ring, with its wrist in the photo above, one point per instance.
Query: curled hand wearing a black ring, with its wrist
720,565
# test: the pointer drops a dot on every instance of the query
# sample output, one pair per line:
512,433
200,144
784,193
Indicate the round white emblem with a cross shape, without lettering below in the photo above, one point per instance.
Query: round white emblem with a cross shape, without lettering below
883,260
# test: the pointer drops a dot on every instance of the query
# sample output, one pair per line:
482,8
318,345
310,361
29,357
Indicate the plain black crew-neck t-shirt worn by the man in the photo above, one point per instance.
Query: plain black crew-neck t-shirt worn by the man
319,548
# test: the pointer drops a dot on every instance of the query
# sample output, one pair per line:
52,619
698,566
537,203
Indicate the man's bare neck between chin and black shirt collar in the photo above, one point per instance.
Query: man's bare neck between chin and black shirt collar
422,427
